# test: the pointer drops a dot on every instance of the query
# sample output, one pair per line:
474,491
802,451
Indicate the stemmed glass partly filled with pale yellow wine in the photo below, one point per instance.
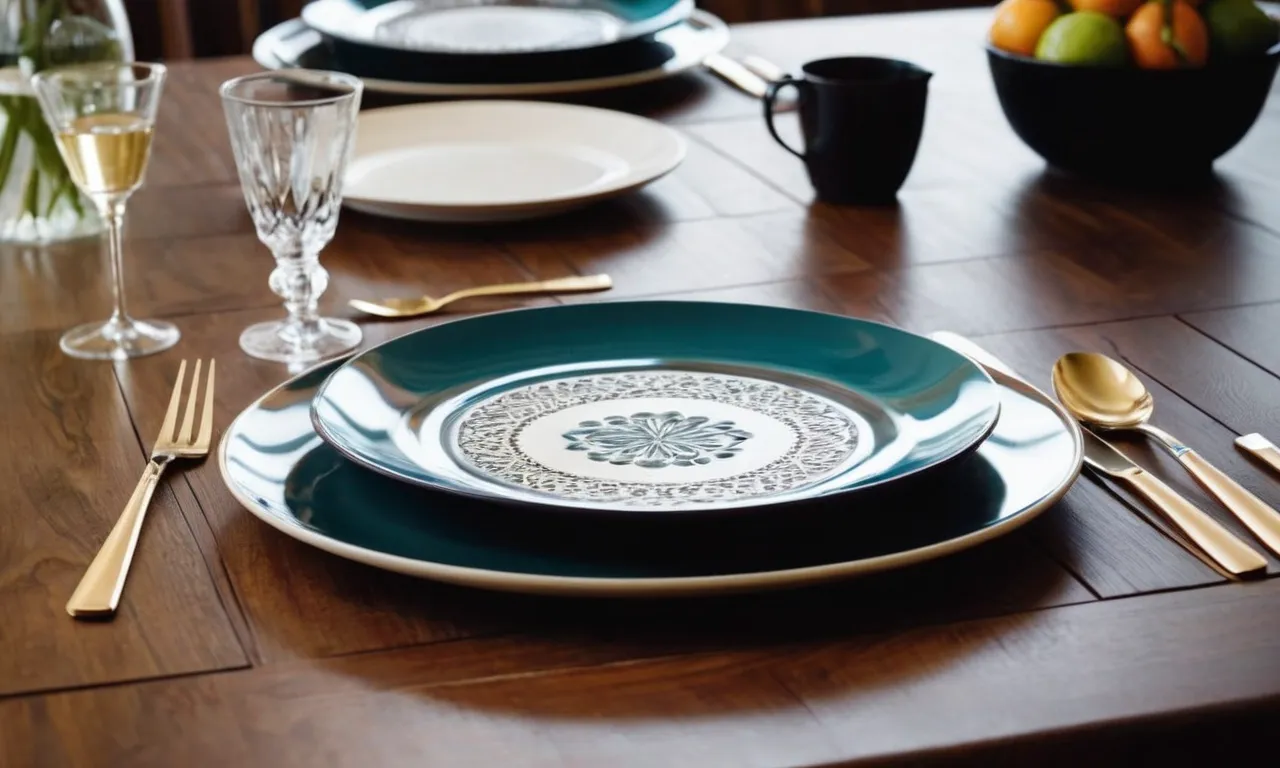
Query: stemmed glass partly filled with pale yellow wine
103,117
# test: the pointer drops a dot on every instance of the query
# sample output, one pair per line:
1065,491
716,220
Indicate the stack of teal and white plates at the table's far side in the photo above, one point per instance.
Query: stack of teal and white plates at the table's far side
496,48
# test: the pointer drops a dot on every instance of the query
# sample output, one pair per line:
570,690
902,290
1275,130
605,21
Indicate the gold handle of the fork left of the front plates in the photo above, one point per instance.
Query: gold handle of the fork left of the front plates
99,591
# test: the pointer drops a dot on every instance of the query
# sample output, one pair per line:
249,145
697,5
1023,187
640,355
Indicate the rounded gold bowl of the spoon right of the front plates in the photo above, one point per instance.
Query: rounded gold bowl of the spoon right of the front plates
1101,392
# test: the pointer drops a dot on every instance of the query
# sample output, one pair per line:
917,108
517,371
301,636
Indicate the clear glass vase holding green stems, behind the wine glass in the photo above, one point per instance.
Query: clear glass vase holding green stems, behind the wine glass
39,203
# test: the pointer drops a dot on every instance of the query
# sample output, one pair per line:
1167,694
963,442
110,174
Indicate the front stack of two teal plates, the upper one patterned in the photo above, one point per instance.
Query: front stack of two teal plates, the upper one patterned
650,449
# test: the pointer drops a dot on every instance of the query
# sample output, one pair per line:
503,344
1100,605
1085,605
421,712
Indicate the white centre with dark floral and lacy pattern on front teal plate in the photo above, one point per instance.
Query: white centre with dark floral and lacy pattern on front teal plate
657,438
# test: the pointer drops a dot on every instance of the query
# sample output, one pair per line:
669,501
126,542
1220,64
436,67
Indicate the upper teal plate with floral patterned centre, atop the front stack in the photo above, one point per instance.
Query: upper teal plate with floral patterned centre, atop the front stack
656,406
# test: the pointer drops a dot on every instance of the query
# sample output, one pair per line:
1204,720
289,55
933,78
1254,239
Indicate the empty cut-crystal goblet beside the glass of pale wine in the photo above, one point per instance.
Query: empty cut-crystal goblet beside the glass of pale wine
292,132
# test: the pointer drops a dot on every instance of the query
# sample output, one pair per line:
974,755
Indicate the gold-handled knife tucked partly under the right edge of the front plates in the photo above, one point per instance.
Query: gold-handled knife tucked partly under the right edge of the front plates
1226,548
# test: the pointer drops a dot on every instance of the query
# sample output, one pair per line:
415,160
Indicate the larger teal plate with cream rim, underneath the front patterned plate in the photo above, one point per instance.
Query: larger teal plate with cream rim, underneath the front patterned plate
277,467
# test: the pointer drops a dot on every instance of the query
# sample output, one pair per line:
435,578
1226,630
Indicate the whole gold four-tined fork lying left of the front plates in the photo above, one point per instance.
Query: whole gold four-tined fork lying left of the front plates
99,591
